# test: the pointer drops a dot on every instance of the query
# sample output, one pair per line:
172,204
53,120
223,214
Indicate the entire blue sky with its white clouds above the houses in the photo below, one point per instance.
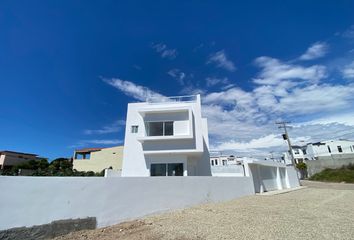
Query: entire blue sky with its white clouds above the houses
69,68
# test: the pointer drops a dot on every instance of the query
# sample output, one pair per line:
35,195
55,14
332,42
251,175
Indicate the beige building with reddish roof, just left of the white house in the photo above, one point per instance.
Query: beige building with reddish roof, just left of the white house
98,159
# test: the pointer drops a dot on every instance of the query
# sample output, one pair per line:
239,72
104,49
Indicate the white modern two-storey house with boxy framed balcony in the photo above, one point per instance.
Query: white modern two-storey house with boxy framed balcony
166,136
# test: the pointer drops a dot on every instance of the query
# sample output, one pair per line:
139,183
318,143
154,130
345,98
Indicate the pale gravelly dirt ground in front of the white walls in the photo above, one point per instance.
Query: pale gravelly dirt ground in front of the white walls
320,211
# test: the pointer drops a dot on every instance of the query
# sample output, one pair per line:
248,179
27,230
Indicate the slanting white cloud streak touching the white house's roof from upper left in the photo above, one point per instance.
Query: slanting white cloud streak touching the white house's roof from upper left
131,89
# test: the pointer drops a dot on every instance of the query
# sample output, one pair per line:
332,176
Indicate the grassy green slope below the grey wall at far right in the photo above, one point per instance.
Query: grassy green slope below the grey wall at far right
343,174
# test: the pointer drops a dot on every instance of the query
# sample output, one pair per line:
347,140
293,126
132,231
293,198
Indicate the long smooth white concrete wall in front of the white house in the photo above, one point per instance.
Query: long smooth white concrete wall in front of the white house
29,201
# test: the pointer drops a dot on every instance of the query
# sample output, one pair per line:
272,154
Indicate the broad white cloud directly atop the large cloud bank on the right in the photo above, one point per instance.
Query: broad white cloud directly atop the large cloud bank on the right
274,71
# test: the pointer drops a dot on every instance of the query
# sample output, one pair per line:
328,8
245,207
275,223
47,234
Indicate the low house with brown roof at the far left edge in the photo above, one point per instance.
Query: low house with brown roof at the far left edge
9,159
